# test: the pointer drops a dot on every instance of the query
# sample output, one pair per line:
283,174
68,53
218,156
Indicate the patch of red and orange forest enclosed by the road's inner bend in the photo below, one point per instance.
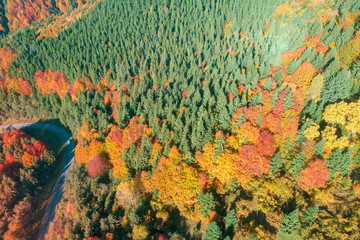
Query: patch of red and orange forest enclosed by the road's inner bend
25,168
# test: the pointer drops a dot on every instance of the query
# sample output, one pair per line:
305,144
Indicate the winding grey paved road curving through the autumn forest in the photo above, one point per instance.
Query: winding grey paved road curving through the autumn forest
60,184
